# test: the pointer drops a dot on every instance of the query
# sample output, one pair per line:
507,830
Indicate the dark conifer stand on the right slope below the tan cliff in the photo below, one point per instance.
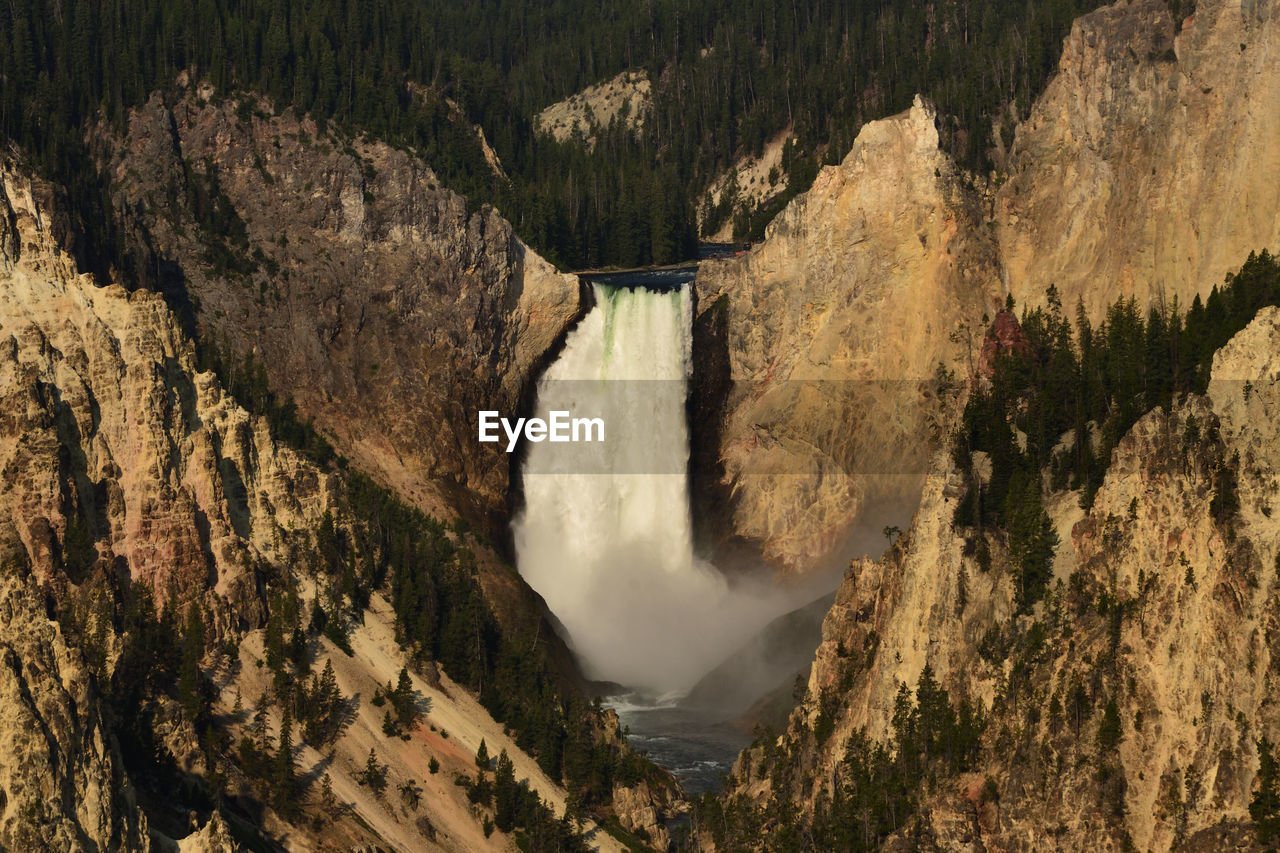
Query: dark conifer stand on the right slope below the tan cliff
1091,385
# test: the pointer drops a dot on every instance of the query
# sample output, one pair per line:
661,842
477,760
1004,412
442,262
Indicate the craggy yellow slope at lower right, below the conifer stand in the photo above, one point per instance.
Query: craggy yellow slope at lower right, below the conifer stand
1165,604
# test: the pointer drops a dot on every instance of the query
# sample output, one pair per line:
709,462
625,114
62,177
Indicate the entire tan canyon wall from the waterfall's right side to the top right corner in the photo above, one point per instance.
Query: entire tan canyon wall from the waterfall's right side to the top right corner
1142,171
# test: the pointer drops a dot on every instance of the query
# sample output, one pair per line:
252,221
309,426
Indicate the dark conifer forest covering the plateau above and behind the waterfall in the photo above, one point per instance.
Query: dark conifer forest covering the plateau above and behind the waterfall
729,76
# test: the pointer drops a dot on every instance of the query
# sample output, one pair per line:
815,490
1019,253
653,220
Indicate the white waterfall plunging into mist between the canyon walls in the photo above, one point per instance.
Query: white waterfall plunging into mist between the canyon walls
606,536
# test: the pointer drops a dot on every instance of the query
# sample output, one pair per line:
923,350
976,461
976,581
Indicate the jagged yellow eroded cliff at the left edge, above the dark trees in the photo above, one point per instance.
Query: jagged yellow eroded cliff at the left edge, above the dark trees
108,422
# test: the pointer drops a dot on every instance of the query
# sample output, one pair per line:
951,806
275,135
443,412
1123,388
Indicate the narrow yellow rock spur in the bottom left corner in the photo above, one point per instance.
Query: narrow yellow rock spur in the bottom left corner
61,783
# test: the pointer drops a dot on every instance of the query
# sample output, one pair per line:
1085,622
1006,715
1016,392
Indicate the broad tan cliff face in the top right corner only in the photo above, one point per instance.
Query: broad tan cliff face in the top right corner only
1142,168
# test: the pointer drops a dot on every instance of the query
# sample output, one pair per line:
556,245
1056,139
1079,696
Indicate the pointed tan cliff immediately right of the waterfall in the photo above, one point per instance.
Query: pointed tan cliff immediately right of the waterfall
835,327
